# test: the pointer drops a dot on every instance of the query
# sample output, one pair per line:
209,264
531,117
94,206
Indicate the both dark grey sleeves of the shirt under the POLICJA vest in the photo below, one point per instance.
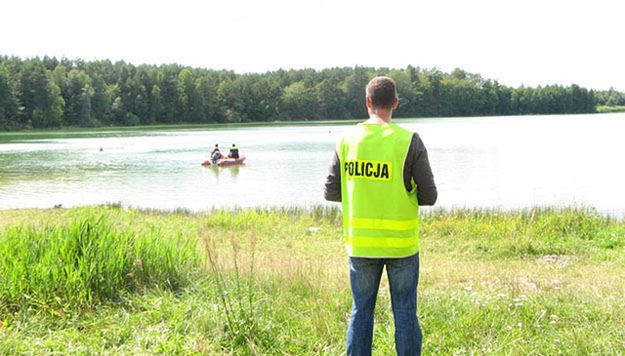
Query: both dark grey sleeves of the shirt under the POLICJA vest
416,168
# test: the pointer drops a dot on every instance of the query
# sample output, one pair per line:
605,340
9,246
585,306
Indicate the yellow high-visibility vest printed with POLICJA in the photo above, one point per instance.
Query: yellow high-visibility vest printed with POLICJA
380,218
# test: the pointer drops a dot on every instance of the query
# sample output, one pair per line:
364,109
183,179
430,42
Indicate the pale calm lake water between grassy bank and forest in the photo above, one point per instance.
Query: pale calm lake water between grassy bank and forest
486,162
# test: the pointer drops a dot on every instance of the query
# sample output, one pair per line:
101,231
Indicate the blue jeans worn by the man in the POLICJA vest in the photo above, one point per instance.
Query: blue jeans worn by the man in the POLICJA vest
403,277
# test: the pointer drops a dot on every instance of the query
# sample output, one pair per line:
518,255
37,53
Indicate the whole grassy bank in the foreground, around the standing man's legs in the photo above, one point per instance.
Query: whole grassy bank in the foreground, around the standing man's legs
103,279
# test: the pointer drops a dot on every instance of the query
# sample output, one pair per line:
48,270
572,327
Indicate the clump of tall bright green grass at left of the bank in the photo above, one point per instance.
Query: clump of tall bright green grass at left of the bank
87,262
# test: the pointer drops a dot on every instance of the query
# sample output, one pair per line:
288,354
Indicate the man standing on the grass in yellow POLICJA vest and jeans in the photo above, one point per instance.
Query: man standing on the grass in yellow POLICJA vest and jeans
381,174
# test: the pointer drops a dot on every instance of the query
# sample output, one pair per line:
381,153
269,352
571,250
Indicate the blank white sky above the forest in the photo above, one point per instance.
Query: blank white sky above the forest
527,42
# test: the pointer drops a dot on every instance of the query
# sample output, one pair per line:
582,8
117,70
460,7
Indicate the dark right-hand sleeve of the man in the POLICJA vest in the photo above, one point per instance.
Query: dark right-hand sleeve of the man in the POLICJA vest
417,169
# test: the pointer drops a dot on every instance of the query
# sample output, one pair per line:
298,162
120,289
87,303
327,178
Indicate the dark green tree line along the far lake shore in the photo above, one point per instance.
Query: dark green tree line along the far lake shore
50,93
